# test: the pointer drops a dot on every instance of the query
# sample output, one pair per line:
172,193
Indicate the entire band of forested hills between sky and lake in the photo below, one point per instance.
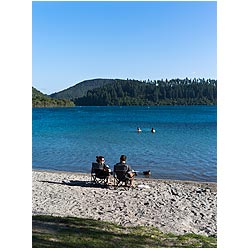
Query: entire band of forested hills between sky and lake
103,92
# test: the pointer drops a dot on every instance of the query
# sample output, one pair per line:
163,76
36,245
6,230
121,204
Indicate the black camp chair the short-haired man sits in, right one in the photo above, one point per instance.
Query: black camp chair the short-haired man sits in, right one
121,177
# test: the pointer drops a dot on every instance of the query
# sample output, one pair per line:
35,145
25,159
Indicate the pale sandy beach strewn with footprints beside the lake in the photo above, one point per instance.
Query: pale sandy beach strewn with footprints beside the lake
172,206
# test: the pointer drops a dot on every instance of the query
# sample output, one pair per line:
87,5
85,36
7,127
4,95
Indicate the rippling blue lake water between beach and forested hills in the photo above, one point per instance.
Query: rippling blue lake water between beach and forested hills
183,146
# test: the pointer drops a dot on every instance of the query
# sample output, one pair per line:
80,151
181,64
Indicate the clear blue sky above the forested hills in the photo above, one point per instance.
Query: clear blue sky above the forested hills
75,41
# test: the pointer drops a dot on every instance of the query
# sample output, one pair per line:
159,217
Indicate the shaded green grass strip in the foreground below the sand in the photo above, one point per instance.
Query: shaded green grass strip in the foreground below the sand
52,232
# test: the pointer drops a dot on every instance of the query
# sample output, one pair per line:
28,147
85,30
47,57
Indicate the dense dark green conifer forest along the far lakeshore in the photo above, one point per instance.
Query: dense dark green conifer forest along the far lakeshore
160,92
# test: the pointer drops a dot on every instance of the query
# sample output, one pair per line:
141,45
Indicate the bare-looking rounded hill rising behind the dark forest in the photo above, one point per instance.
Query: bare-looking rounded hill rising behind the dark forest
80,89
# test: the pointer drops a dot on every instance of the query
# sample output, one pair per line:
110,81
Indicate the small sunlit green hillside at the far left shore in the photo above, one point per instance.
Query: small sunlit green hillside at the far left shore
41,100
